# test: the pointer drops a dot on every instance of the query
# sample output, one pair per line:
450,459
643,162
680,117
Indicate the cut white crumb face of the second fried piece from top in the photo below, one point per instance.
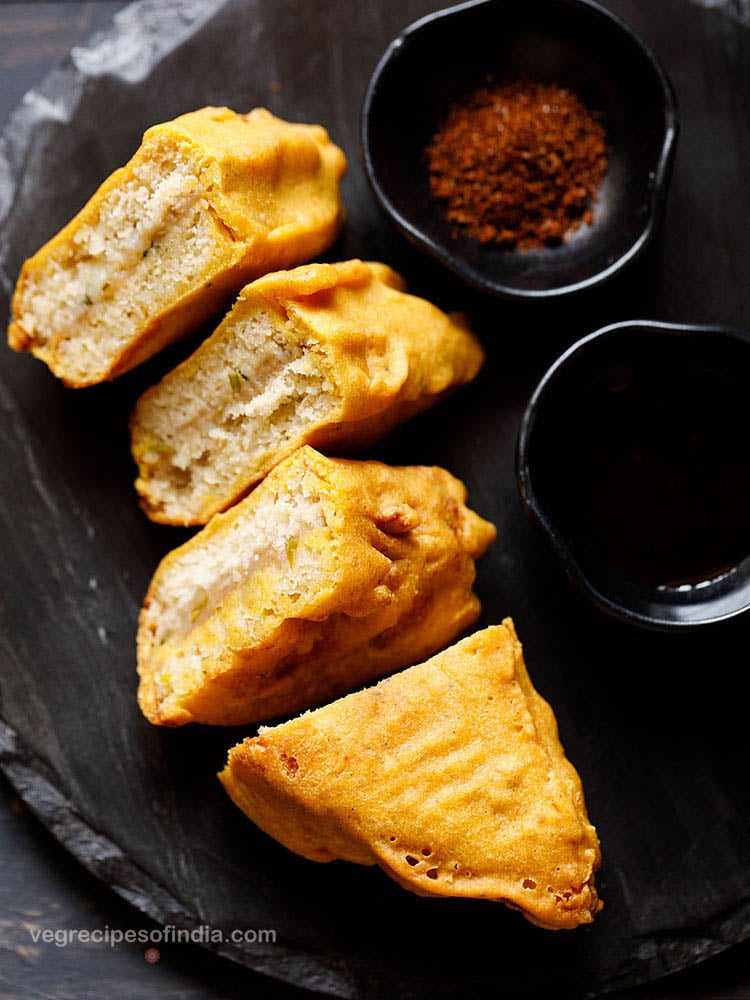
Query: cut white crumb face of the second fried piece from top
251,399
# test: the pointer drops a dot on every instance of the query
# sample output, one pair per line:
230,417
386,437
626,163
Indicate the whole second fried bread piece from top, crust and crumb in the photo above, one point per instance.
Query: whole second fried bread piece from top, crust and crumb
331,355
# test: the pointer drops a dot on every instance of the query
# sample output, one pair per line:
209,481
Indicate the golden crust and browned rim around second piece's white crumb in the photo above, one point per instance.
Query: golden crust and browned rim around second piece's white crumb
386,355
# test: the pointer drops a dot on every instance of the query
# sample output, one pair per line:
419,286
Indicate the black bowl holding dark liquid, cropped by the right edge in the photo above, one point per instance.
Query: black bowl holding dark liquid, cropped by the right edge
633,460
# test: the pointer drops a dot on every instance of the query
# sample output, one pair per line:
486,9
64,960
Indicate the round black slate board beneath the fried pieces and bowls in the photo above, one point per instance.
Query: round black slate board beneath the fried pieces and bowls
651,721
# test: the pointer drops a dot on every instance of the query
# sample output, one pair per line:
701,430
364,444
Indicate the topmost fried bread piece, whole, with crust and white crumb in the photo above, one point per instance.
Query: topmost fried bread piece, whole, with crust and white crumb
208,202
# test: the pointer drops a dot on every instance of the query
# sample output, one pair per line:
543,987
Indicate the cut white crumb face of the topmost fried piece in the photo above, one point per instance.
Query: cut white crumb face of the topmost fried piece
154,237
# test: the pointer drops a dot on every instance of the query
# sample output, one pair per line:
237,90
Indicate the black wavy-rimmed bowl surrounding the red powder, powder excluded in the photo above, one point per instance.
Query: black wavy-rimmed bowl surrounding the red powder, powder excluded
572,42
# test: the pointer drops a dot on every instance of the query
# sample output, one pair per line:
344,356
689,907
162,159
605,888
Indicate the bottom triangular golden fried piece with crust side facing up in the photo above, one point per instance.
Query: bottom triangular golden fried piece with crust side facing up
449,775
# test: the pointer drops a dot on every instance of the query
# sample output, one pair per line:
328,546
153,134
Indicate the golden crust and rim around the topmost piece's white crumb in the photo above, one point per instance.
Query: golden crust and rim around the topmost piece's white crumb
270,190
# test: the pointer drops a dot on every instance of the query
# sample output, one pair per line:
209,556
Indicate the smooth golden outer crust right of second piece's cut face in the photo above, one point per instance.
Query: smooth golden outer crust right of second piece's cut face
389,353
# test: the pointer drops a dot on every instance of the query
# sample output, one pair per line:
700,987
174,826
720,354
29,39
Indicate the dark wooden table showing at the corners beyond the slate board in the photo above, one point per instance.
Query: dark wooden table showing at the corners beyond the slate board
41,886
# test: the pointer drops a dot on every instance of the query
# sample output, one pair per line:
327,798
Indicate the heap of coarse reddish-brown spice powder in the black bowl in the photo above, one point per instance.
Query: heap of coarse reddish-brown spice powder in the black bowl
518,163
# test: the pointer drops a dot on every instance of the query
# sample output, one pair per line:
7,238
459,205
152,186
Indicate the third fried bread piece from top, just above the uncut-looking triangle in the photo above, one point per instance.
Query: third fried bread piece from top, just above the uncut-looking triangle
331,573
